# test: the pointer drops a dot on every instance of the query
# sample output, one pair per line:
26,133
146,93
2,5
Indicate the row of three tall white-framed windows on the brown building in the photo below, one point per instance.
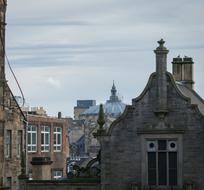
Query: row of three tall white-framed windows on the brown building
45,138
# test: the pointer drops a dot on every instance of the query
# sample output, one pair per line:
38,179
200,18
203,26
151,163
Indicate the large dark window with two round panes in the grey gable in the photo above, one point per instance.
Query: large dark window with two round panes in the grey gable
162,162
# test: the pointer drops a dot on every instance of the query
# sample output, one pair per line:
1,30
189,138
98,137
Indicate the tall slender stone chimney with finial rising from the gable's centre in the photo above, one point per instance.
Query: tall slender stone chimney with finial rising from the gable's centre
161,69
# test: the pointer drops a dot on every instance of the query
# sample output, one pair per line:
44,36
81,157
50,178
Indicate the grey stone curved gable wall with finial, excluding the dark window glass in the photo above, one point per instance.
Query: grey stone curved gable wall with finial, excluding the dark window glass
161,112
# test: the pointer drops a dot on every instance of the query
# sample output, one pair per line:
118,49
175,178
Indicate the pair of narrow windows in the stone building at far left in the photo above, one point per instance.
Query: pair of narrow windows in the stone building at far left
19,141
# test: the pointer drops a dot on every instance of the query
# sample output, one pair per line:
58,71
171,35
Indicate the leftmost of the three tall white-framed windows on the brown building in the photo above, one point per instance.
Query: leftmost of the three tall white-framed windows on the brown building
32,138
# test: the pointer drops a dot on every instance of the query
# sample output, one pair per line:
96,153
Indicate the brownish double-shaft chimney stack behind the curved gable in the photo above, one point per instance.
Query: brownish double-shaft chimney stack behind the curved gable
183,70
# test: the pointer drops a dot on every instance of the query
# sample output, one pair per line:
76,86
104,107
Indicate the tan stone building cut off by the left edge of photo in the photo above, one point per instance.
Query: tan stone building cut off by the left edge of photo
12,123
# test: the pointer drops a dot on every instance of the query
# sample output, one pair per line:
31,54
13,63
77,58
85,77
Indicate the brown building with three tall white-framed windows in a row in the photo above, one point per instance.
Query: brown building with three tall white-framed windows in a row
47,140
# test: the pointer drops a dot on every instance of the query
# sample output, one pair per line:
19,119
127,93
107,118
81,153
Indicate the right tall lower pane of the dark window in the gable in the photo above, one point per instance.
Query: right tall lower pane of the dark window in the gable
172,168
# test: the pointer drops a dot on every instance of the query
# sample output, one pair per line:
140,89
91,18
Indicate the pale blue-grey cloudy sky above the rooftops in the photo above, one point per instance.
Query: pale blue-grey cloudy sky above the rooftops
65,50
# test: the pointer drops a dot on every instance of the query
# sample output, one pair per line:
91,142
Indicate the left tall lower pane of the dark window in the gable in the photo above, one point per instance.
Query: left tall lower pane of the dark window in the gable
152,168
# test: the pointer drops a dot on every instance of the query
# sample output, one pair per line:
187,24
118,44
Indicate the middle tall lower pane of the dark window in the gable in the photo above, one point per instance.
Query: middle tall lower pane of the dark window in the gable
162,168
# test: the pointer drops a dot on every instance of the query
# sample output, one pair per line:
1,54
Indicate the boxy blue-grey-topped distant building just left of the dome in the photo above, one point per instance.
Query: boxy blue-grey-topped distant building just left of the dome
82,105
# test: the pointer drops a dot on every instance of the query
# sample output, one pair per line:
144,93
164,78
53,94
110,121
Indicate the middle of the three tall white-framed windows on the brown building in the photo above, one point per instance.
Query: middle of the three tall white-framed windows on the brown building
45,138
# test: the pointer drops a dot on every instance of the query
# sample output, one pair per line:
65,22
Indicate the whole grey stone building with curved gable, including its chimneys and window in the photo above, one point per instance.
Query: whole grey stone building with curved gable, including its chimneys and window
158,142
